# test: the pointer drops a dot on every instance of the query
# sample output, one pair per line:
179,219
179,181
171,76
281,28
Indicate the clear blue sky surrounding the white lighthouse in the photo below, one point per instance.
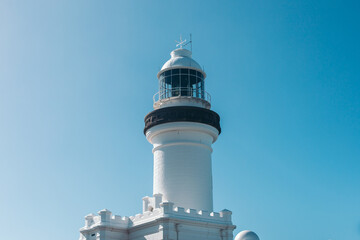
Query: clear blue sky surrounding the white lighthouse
77,79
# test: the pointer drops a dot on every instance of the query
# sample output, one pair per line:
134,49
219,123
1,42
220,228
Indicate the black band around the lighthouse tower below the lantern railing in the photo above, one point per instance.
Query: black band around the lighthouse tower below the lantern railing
182,114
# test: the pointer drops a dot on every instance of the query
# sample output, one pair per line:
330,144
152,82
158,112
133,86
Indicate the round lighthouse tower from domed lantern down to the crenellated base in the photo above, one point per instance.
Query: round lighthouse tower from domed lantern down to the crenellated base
182,129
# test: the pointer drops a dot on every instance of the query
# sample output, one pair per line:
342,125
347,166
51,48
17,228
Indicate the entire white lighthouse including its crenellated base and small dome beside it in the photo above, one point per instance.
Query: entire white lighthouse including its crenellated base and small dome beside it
182,129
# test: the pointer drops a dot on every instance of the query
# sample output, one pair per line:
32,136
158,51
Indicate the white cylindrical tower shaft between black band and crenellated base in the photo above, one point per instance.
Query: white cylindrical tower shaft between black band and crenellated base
182,163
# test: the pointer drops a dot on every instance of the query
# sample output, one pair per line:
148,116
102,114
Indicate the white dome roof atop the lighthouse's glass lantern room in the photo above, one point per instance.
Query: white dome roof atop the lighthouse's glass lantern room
181,58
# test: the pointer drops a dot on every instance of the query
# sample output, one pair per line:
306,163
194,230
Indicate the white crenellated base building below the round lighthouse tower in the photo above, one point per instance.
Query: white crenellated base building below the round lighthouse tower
160,223
